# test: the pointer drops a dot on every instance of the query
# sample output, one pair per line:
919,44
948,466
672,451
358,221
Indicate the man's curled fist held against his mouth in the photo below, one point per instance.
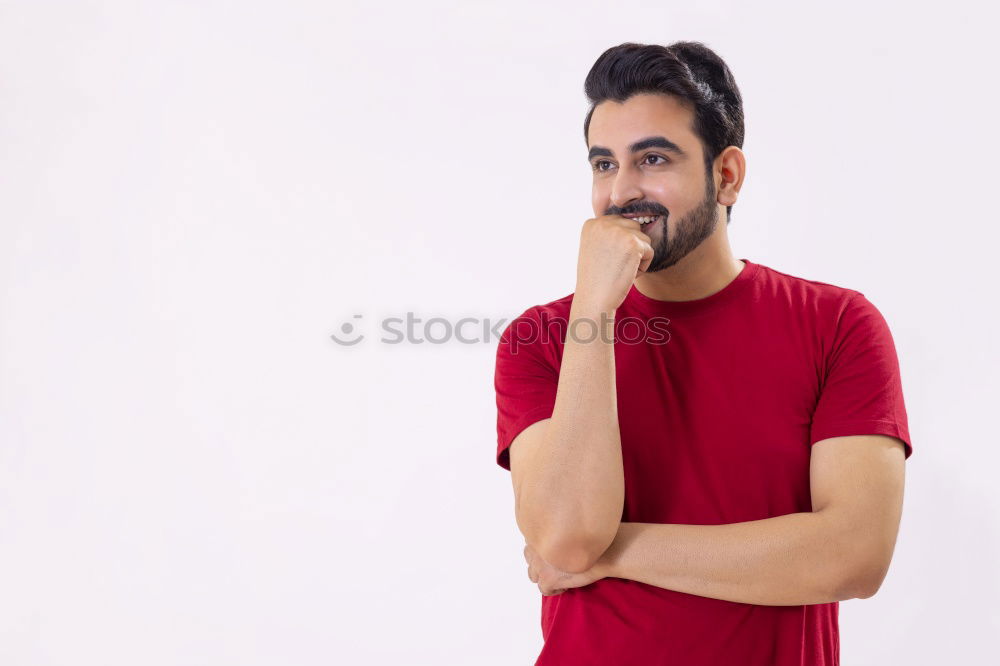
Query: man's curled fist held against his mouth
613,251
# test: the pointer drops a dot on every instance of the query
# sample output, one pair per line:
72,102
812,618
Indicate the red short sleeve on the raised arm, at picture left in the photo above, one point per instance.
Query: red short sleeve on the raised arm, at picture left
526,380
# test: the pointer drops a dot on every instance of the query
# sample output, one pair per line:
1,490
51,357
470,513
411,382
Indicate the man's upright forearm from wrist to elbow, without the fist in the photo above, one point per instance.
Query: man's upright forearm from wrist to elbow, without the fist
578,477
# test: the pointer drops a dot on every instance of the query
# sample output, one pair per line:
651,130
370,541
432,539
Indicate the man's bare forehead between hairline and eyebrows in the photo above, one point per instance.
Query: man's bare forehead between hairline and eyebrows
617,124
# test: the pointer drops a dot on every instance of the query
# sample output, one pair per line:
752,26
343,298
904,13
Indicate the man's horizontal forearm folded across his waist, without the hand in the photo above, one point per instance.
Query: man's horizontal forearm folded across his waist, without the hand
789,560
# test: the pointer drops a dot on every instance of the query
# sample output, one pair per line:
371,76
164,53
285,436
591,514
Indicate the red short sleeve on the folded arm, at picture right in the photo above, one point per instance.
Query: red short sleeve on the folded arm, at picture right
862,392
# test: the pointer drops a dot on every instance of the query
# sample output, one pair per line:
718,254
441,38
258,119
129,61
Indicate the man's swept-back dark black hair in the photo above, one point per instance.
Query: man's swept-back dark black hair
687,70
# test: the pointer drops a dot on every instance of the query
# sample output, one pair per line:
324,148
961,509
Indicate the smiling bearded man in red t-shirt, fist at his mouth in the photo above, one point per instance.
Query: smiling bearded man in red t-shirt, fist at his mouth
707,454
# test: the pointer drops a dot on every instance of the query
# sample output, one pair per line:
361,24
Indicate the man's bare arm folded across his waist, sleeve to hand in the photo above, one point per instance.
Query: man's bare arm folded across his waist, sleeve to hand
840,550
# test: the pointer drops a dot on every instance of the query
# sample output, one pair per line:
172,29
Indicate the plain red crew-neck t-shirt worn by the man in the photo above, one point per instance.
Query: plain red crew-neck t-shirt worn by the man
719,402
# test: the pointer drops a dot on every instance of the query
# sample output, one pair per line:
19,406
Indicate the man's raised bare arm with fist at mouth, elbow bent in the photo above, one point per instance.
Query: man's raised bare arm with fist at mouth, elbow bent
569,483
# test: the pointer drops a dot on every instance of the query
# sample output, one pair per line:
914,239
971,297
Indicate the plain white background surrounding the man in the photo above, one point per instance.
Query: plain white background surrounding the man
195,195
